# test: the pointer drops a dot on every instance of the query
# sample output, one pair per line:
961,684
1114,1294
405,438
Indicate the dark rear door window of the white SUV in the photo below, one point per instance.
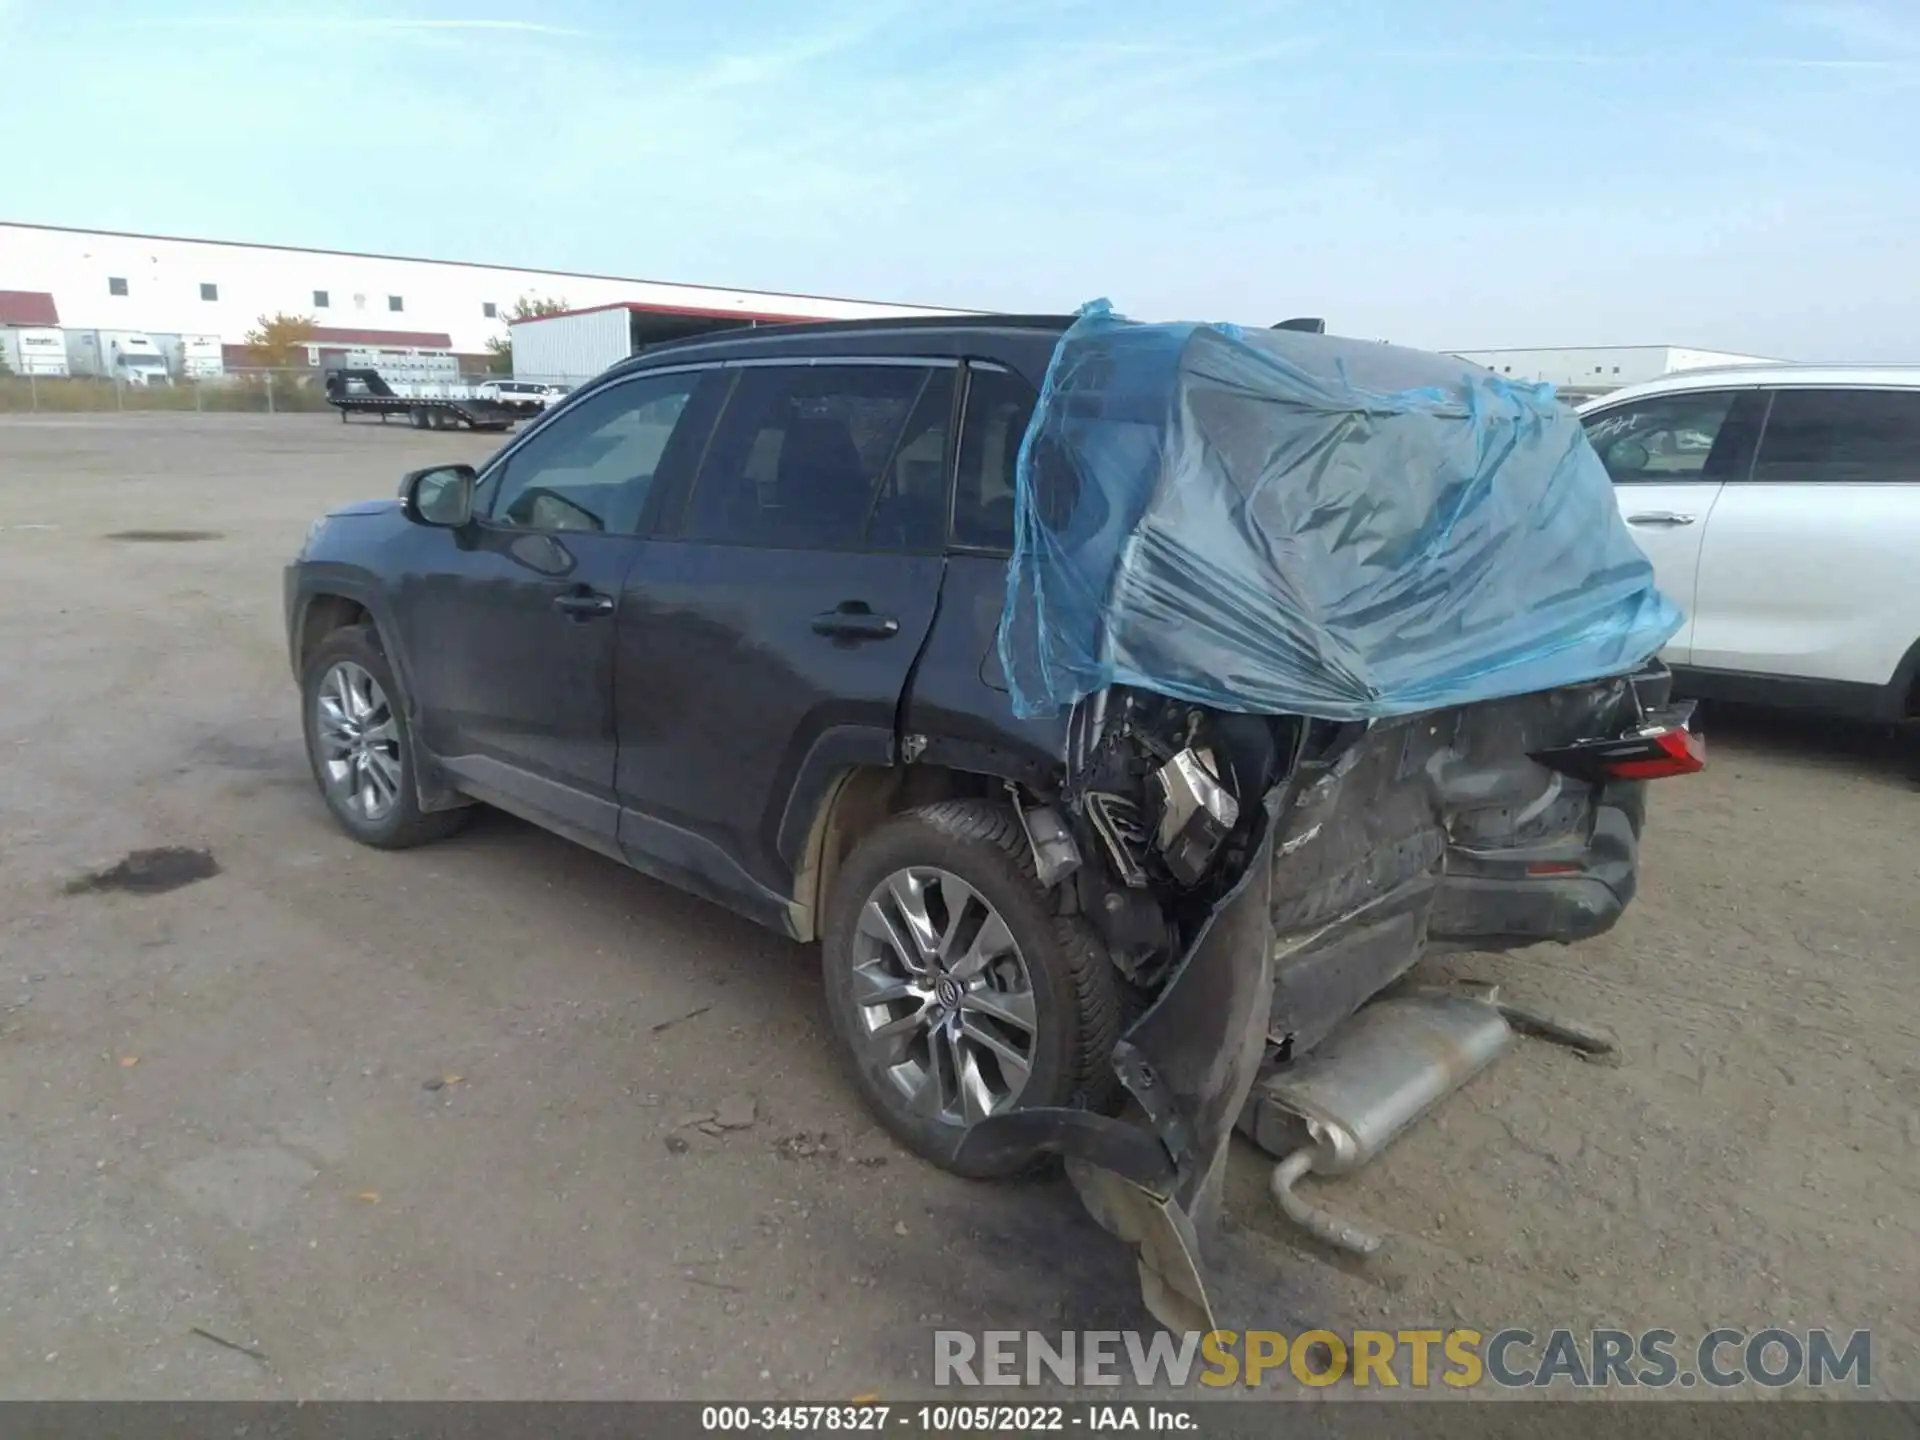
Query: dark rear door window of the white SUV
1842,439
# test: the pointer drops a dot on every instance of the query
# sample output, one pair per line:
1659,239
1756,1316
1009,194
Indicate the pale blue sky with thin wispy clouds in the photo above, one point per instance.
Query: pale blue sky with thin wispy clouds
1727,174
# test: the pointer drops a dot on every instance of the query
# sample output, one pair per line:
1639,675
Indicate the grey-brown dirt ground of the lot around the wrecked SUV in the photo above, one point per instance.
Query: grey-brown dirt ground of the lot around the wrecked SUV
398,1122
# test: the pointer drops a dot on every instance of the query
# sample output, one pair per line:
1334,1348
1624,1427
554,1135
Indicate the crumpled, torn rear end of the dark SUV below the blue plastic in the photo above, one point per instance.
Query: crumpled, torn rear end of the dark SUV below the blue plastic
1353,852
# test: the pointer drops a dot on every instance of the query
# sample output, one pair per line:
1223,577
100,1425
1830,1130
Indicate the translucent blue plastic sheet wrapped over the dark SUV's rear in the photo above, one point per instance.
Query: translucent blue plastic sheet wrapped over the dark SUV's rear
1284,523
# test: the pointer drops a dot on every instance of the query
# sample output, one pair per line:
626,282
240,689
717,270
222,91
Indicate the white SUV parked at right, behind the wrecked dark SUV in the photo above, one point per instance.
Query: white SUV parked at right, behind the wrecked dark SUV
1781,508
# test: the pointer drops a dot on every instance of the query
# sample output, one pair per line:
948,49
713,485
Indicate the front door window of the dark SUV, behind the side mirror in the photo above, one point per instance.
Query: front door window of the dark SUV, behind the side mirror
594,468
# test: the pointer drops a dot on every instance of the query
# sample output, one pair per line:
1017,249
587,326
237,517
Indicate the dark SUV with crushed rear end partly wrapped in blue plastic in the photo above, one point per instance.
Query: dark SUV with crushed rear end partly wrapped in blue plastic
738,613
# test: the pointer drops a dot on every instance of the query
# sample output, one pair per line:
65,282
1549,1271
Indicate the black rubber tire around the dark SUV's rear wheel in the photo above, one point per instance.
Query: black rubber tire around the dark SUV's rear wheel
1074,992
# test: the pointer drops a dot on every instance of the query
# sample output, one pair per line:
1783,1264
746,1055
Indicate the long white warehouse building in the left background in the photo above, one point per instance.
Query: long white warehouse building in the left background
172,291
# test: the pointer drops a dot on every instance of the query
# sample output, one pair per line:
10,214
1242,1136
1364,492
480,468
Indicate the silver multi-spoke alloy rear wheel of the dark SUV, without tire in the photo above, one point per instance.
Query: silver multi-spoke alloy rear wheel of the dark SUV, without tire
944,997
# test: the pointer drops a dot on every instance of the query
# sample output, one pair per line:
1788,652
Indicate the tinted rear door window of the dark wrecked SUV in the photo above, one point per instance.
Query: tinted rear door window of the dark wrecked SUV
828,458
